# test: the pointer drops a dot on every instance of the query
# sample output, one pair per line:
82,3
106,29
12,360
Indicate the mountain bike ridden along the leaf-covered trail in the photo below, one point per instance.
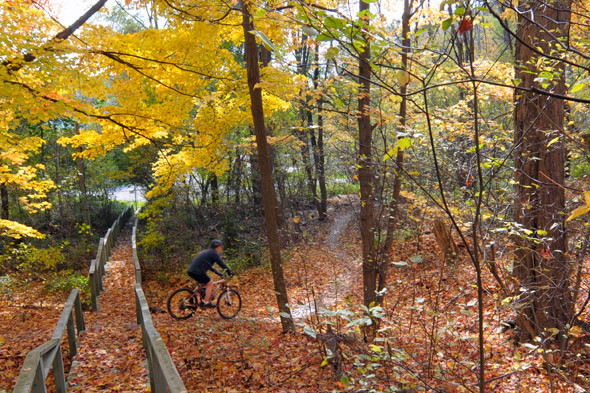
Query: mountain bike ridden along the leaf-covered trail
183,302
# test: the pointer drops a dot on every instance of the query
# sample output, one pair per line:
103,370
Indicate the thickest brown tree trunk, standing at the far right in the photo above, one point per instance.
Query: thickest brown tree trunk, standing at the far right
540,263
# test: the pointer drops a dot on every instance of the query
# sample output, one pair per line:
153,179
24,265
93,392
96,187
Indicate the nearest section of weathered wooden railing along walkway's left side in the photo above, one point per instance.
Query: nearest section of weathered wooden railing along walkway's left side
48,355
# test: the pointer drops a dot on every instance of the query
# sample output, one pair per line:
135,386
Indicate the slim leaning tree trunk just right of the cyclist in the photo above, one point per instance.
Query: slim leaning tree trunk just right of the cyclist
269,198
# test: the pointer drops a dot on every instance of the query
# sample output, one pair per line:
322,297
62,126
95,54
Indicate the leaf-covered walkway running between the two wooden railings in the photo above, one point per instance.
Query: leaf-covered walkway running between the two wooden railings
111,356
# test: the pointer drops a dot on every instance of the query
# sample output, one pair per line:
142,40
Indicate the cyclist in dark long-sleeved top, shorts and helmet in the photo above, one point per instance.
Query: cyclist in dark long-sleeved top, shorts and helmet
202,263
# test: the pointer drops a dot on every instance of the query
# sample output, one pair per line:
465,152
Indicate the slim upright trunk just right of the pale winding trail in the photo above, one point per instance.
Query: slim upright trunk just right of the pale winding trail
365,175
